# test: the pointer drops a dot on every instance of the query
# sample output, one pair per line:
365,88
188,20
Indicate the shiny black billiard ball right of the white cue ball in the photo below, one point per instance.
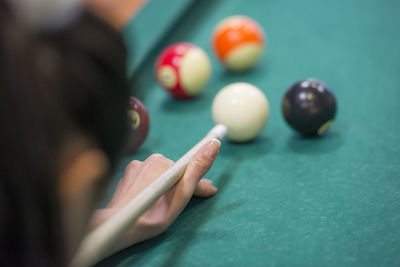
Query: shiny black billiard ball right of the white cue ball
309,107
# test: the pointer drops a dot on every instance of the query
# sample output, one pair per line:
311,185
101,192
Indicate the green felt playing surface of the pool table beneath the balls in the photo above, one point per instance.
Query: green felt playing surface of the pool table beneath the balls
284,200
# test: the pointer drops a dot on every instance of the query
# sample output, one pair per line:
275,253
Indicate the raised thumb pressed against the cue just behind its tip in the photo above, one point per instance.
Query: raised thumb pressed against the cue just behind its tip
202,161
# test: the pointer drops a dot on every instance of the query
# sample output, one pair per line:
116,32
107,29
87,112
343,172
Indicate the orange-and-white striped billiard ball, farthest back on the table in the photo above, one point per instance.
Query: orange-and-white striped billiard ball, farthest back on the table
238,42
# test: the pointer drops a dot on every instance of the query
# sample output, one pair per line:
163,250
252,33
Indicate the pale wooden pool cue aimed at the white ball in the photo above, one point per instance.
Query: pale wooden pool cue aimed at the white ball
98,241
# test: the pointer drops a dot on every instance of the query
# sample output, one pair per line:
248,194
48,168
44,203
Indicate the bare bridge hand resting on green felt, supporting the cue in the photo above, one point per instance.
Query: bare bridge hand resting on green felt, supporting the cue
165,210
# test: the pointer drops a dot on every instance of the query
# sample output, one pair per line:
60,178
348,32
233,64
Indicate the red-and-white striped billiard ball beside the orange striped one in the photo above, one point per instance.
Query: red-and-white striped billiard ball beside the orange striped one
183,69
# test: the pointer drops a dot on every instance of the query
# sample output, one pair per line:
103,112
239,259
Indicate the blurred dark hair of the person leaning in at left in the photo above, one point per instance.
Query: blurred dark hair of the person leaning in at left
52,84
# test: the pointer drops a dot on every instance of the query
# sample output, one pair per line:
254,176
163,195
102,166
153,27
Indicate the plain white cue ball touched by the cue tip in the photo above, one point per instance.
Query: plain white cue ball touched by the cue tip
243,109
